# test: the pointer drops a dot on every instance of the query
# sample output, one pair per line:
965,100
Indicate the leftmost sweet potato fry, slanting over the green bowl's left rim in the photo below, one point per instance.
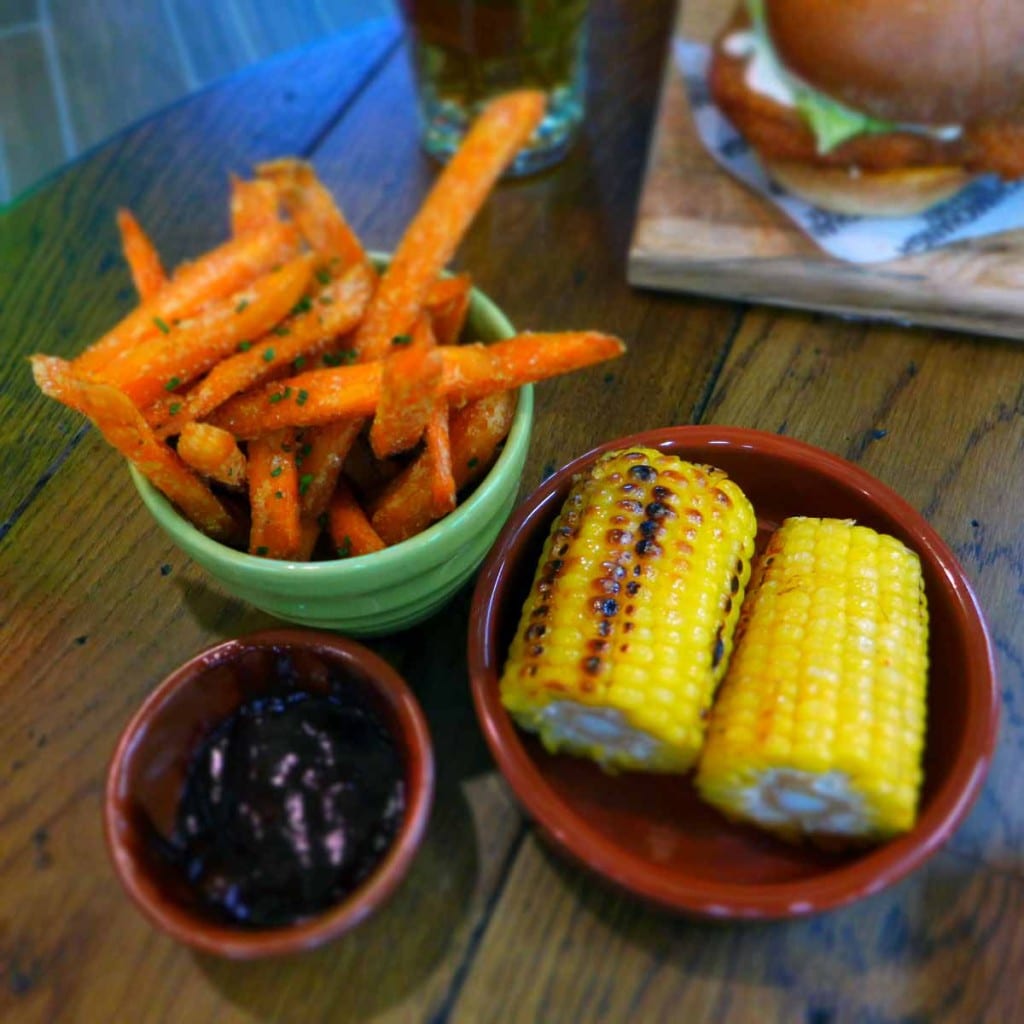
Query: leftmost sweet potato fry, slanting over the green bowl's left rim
122,425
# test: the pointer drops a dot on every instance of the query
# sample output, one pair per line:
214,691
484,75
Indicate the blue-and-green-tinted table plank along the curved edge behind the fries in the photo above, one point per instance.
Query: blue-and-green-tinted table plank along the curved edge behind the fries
63,281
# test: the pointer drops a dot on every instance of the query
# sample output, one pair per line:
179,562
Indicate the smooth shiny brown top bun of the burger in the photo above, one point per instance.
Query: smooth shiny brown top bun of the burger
923,62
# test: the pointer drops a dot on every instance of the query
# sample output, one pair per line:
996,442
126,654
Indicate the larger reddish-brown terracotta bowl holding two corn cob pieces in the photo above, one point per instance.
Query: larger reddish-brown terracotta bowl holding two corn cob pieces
652,835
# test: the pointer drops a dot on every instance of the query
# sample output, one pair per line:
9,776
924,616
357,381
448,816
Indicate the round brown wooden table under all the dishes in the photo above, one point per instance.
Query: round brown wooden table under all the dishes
97,607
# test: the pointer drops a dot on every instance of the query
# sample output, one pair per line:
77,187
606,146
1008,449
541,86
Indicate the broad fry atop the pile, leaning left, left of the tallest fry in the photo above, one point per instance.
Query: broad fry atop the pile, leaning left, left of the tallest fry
313,207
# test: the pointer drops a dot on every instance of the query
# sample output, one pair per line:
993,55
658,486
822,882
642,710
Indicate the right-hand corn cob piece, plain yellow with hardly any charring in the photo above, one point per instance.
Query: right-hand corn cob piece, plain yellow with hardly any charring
819,728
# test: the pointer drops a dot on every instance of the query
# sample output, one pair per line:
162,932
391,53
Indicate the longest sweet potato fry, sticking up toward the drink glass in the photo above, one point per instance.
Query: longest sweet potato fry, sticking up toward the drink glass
436,232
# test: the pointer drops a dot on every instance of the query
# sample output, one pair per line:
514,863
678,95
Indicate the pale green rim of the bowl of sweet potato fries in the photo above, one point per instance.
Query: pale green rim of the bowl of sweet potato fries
170,520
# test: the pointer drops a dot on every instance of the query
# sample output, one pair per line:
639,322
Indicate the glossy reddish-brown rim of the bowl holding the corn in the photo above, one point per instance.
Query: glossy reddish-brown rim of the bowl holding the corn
575,837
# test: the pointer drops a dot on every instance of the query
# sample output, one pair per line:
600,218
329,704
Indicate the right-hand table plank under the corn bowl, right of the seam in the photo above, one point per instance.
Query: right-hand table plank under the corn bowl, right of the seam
905,406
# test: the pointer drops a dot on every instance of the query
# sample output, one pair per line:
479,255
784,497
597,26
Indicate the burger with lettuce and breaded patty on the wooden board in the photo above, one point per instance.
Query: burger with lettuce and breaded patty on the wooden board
876,107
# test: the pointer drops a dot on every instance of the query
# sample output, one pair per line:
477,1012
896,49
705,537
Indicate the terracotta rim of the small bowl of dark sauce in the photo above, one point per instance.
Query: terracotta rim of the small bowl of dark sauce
238,944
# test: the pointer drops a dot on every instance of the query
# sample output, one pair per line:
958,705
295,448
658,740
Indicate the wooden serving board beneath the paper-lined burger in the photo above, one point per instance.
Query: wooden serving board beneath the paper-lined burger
699,230
